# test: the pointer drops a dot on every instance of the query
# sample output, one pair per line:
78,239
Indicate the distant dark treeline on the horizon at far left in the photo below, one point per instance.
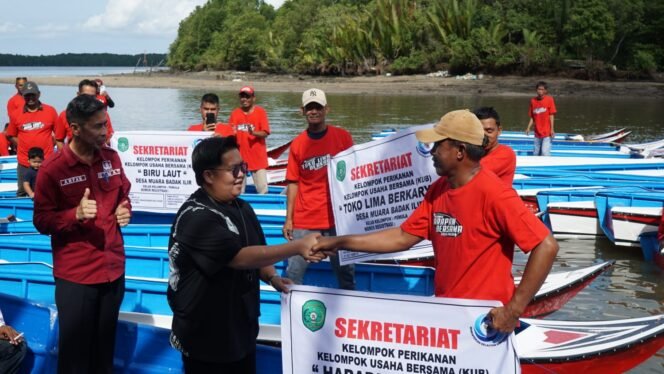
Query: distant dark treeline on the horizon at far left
82,59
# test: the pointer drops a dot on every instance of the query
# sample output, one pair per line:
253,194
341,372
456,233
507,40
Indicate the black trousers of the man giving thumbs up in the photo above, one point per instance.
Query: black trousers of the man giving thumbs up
87,319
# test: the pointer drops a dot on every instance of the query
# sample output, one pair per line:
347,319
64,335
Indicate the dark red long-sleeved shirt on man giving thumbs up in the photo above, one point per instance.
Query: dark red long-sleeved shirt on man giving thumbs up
91,251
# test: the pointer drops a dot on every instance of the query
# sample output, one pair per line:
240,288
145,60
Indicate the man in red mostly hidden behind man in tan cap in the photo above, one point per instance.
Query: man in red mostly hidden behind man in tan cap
499,158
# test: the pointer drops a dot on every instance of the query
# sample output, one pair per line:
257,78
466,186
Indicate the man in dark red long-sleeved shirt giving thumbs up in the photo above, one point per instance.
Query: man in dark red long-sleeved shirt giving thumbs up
82,200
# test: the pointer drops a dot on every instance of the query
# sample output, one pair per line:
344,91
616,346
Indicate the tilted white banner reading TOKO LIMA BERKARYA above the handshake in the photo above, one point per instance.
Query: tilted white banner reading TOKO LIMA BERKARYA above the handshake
376,185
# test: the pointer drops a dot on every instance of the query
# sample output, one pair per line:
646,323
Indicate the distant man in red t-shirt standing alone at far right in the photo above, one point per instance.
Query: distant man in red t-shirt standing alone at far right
542,113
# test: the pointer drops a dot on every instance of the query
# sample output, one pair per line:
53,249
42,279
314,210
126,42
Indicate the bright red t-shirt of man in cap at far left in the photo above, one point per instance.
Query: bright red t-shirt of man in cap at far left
33,129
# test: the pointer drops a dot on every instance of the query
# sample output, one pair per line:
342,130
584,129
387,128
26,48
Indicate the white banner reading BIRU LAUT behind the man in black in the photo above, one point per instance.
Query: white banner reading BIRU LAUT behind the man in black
158,165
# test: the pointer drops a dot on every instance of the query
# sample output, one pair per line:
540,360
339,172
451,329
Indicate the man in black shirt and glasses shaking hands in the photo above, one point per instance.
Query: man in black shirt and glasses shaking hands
217,254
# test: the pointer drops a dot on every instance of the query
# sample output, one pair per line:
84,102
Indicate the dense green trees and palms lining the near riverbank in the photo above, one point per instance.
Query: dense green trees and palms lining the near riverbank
410,36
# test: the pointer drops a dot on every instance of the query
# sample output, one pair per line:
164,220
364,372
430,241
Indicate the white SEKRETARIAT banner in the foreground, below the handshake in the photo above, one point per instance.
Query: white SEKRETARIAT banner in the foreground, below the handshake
330,331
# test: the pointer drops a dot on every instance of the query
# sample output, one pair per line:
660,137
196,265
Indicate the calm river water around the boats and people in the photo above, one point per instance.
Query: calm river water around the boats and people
632,288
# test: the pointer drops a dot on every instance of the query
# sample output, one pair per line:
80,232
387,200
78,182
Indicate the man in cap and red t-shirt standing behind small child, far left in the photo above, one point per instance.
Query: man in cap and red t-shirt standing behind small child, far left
31,126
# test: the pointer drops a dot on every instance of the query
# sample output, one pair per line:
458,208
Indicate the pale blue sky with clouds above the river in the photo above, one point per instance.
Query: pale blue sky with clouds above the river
77,26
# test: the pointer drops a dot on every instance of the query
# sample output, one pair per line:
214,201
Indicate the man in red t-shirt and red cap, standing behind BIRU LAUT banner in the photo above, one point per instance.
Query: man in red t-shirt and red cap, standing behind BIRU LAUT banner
252,128
